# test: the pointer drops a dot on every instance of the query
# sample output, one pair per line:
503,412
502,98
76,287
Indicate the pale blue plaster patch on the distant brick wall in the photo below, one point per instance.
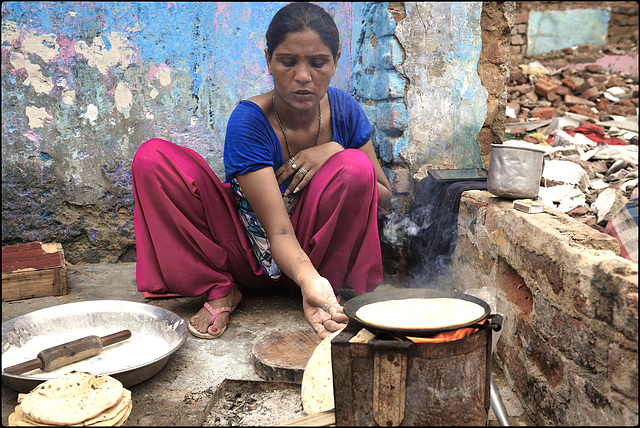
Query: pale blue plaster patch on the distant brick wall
553,30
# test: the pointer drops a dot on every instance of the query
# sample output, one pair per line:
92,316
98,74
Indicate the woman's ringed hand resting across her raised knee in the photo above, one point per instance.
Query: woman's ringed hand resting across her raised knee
304,165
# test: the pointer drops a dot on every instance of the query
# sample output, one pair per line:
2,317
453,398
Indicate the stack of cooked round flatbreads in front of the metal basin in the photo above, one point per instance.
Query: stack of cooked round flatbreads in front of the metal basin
74,399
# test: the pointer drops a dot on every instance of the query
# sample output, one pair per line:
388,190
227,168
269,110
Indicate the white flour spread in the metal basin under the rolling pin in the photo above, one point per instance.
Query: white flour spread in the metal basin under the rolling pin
140,349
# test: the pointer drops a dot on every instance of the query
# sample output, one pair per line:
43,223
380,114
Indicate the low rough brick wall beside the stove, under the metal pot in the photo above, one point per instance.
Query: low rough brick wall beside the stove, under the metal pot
569,344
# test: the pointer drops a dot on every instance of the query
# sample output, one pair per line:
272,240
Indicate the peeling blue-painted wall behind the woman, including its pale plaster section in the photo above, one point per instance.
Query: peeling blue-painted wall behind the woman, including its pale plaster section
85,83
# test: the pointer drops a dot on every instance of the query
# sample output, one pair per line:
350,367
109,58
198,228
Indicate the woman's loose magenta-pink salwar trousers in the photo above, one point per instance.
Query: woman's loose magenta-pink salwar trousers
190,239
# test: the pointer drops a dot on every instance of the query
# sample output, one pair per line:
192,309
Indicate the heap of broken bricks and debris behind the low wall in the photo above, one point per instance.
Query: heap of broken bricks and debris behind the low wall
587,122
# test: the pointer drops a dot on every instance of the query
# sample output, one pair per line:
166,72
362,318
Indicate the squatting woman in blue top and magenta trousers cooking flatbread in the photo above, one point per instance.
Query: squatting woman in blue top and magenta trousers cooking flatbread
298,205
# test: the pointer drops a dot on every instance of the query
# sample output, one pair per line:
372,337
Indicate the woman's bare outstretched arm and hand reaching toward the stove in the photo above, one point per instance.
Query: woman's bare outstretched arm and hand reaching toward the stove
319,302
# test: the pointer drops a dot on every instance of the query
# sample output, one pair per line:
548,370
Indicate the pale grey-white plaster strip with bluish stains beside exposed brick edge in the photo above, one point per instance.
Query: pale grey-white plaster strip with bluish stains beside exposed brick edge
445,100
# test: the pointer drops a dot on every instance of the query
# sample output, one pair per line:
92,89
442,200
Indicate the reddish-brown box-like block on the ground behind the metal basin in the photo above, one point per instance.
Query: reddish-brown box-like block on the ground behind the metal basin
33,269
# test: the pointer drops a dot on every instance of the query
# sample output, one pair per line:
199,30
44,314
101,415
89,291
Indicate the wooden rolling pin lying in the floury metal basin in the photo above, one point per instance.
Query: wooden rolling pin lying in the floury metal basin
67,353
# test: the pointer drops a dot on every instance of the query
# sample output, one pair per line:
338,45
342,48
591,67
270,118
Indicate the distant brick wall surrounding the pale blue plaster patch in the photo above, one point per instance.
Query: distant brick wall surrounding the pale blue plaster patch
622,30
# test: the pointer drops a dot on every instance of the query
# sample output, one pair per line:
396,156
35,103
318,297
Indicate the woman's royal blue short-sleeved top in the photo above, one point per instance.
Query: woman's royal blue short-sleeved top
251,143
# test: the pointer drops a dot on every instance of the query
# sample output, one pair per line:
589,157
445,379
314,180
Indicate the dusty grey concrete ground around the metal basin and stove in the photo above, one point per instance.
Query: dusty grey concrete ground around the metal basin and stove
179,393
